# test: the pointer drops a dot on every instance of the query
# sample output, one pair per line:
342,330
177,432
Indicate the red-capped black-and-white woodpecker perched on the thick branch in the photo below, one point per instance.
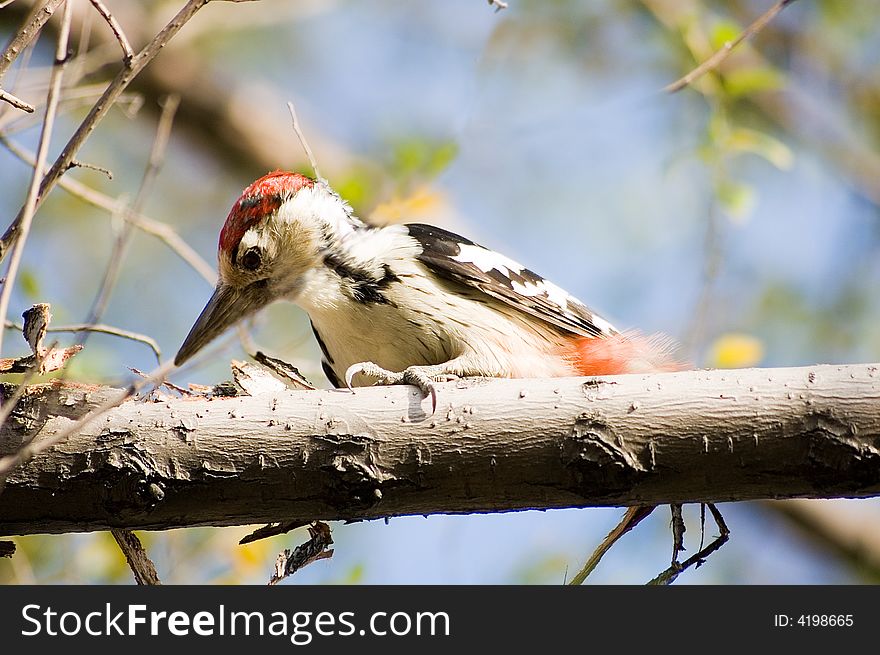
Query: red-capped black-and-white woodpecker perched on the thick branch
404,304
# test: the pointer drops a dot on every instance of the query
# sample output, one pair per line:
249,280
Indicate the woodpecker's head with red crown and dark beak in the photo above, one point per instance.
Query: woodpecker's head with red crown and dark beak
274,236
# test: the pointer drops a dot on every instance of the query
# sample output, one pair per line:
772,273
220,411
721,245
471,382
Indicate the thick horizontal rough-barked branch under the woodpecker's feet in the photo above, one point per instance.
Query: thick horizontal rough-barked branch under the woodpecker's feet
492,445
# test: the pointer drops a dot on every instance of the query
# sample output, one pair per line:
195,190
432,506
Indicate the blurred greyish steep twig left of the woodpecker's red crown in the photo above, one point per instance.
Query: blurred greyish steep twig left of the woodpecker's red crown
123,239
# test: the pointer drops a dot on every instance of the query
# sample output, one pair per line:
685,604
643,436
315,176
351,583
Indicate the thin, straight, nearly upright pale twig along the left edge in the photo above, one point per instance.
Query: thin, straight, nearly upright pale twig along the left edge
30,205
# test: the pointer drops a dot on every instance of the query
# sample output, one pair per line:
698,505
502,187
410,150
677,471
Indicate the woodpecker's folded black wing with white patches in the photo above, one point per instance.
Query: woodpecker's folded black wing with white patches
455,258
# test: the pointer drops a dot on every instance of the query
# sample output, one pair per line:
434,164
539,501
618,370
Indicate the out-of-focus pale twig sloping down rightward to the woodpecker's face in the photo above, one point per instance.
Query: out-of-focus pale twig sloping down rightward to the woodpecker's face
161,231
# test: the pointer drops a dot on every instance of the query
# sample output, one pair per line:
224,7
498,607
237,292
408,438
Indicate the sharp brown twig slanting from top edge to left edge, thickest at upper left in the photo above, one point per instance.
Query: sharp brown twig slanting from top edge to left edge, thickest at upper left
98,111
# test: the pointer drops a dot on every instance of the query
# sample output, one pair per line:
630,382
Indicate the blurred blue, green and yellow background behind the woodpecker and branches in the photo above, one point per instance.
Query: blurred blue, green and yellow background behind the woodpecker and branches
542,129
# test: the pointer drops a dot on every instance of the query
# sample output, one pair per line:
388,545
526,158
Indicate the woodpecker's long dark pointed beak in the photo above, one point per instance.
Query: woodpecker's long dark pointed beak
226,307
